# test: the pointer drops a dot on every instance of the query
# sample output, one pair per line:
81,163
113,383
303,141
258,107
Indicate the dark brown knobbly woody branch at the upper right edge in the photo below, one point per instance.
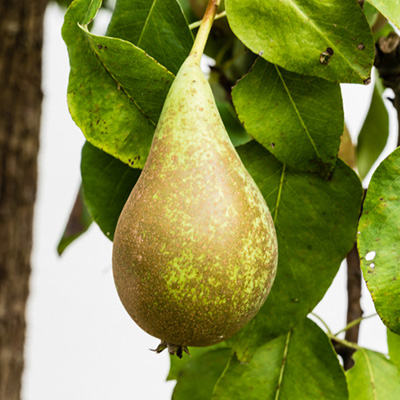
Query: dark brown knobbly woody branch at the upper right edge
387,61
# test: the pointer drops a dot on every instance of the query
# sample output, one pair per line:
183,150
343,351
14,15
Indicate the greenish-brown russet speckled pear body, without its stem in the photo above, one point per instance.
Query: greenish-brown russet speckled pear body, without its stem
195,249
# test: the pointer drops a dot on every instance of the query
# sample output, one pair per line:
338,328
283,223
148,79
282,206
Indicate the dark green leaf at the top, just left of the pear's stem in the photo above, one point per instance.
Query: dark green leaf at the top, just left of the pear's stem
158,27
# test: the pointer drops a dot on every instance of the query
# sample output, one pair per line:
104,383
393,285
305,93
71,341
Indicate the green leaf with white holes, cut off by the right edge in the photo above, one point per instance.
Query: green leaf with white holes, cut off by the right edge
379,240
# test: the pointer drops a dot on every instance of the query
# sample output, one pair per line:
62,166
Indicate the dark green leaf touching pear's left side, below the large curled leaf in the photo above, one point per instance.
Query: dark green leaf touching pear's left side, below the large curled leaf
107,183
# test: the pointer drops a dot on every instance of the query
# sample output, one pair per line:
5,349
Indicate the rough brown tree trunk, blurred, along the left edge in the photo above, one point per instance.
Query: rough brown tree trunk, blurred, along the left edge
21,36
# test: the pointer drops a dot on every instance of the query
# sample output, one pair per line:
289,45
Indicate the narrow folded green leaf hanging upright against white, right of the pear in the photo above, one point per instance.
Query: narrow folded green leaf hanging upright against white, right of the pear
374,133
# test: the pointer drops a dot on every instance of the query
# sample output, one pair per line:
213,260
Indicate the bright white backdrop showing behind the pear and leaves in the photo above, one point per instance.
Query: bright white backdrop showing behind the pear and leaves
81,344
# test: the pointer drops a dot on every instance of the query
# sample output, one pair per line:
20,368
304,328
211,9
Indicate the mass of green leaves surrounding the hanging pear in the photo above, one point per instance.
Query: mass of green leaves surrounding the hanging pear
285,60
